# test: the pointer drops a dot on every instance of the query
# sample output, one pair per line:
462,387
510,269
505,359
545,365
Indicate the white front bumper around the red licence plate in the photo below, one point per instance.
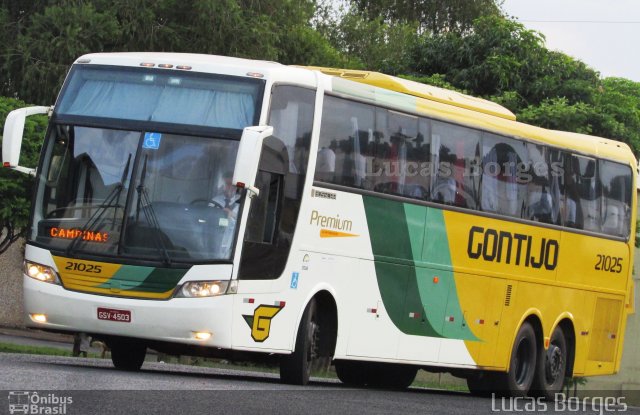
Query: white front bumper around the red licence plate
174,320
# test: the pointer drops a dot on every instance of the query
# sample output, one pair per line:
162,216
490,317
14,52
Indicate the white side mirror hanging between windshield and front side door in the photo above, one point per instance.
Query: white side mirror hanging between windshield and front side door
248,158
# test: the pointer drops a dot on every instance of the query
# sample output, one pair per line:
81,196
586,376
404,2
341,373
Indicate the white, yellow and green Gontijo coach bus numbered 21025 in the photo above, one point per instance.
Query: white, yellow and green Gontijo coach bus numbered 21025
224,207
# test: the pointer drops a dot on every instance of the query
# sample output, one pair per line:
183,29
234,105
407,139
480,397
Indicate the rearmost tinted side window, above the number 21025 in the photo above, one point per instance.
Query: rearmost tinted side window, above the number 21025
616,198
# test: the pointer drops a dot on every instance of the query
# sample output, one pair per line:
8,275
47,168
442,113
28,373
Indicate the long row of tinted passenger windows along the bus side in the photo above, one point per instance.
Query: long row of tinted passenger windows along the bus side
395,153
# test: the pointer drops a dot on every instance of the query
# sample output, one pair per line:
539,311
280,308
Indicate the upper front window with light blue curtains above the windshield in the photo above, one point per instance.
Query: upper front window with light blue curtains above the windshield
160,96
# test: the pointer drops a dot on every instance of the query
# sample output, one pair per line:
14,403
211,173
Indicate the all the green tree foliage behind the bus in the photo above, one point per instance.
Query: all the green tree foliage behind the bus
467,45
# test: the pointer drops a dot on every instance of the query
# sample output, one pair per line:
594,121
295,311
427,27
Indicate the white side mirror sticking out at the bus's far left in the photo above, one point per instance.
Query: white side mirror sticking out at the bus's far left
12,137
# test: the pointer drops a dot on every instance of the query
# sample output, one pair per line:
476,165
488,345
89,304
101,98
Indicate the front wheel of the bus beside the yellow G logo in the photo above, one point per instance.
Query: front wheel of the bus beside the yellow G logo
295,369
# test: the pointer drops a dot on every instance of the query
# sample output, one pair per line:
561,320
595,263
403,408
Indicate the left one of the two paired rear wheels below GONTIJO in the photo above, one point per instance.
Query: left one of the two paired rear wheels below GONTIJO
522,365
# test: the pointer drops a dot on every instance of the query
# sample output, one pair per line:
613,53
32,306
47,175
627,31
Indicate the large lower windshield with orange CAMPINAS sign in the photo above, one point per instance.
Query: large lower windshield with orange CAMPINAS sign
139,194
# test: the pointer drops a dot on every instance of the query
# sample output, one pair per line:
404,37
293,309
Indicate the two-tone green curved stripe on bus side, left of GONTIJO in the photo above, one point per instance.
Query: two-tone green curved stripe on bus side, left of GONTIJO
403,238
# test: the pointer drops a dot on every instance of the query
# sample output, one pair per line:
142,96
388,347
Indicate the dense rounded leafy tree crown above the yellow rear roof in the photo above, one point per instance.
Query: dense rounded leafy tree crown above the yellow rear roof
501,59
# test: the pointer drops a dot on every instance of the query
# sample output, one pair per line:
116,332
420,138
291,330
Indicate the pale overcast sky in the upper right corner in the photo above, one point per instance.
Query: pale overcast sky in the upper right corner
604,34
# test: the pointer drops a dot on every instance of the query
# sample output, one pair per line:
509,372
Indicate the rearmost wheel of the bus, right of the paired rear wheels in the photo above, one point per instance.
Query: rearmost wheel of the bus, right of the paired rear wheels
551,367
